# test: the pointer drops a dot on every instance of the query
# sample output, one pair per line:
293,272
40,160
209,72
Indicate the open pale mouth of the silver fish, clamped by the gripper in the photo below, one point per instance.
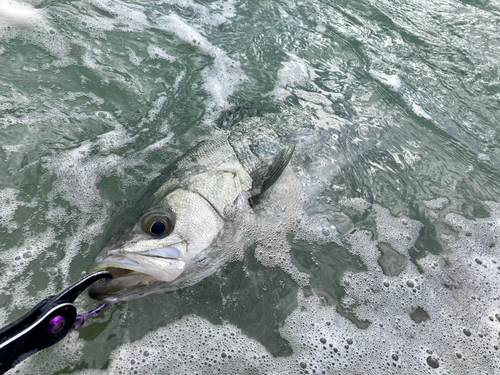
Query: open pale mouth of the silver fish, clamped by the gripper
135,271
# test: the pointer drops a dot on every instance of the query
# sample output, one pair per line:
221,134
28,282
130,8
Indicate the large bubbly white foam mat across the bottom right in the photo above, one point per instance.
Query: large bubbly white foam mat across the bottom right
409,331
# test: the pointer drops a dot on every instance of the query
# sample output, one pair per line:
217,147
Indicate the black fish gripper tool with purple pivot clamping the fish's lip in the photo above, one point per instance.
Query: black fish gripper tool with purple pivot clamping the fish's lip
45,324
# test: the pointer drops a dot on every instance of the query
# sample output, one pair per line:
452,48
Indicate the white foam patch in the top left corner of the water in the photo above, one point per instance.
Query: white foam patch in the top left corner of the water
42,27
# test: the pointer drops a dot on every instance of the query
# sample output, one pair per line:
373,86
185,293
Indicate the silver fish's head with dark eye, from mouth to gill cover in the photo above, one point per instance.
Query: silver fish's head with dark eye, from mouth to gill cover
159,249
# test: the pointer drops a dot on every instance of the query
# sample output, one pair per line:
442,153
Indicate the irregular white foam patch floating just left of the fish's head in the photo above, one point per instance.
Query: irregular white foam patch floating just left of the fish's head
78,173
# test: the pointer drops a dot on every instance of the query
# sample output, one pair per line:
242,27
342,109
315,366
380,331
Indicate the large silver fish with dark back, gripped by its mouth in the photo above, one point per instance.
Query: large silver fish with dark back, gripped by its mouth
174,236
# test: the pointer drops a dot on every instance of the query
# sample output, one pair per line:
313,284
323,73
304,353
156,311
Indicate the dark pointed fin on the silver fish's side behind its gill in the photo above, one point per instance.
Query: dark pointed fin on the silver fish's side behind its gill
266,177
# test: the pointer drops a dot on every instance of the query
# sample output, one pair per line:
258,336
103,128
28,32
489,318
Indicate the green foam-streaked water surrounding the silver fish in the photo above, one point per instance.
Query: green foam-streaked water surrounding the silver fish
396,103
